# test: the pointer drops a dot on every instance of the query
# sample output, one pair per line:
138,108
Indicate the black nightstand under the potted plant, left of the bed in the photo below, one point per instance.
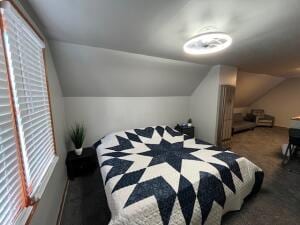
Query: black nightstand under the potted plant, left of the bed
81,165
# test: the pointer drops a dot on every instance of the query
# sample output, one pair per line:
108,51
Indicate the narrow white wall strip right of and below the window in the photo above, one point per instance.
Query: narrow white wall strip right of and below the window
48,207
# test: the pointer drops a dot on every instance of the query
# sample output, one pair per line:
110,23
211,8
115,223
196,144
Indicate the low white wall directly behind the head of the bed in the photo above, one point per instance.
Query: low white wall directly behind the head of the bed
102,115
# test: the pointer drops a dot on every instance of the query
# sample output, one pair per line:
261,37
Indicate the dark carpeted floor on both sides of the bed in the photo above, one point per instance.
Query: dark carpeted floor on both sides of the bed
278,203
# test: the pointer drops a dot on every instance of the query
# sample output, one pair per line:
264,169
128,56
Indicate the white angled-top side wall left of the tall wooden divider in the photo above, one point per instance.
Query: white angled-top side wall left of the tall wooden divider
204,106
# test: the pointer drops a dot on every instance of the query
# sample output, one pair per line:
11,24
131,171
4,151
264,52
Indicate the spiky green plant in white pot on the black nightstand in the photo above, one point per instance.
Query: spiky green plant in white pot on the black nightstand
77,136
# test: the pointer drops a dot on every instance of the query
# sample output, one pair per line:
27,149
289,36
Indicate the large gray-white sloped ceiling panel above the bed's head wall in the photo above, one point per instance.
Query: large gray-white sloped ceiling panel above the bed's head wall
91,72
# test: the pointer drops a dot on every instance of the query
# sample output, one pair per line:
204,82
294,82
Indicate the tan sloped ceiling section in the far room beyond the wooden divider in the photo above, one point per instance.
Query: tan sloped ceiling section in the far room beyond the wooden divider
250,87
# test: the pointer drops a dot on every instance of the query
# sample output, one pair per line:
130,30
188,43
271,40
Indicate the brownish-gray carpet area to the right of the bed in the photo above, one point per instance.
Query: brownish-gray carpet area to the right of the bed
278,203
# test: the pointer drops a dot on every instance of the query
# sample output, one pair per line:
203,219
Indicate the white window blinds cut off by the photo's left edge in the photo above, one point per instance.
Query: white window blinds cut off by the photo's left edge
11,193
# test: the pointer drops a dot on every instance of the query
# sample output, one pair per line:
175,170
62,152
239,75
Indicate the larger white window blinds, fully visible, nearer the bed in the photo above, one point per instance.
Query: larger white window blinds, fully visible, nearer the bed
27,74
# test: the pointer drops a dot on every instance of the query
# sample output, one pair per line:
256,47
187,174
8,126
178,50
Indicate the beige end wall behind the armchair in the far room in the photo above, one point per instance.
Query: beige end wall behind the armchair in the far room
283,102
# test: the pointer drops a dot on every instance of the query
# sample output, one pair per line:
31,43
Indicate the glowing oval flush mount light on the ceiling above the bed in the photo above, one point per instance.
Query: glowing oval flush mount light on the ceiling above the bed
207,43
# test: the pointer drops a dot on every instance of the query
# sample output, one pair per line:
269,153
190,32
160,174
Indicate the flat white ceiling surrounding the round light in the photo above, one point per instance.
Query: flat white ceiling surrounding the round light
266,33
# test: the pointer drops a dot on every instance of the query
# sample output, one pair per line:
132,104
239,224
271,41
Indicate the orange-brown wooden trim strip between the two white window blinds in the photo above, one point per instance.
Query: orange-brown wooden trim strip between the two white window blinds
26,200
